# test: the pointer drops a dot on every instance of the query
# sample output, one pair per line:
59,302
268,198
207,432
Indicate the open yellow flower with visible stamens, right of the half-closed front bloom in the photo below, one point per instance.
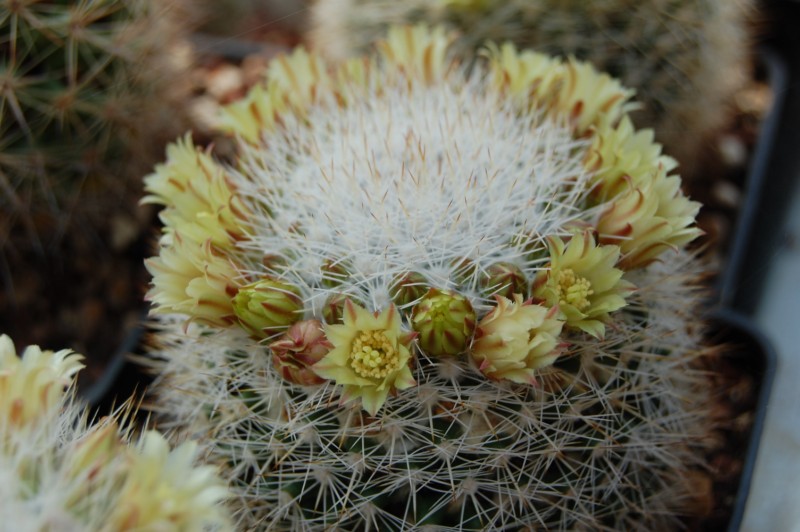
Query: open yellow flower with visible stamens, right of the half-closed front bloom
582,282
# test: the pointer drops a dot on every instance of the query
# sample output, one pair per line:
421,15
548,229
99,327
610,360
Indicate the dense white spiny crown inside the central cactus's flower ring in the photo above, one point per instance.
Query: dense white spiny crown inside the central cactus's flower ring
411,182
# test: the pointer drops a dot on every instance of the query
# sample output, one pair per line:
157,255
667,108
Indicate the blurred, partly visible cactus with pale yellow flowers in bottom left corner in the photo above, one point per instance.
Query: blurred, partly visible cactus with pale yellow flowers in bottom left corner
59,473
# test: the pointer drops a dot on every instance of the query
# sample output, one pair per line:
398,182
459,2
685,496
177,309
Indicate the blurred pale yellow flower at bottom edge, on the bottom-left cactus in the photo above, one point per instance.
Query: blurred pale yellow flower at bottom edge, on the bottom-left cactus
164,490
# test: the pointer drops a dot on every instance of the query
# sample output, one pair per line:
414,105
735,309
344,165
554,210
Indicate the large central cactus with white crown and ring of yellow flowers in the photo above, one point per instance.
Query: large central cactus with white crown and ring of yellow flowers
485,334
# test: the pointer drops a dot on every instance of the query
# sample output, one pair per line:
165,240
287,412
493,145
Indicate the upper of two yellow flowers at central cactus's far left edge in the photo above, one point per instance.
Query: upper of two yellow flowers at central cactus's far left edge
200,201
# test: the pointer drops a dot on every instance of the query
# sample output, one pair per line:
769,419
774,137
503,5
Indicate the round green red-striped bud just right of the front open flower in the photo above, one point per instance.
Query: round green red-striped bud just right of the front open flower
445,322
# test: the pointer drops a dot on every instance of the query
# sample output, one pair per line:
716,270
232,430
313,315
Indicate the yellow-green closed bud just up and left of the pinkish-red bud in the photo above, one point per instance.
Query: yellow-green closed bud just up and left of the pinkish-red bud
267,306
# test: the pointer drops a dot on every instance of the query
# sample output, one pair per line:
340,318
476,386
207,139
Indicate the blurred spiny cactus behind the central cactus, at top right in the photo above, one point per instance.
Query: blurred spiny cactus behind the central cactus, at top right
685,58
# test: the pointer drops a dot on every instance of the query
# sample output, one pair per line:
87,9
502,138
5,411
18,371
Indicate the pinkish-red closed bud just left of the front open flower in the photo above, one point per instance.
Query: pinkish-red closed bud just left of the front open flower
303,345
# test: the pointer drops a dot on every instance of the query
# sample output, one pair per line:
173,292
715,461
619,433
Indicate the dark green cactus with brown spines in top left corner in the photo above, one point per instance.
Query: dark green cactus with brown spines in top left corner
84,98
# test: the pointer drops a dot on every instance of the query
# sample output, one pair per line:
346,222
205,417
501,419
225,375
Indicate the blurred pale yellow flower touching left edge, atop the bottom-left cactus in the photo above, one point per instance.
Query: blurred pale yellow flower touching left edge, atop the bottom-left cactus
32,387
